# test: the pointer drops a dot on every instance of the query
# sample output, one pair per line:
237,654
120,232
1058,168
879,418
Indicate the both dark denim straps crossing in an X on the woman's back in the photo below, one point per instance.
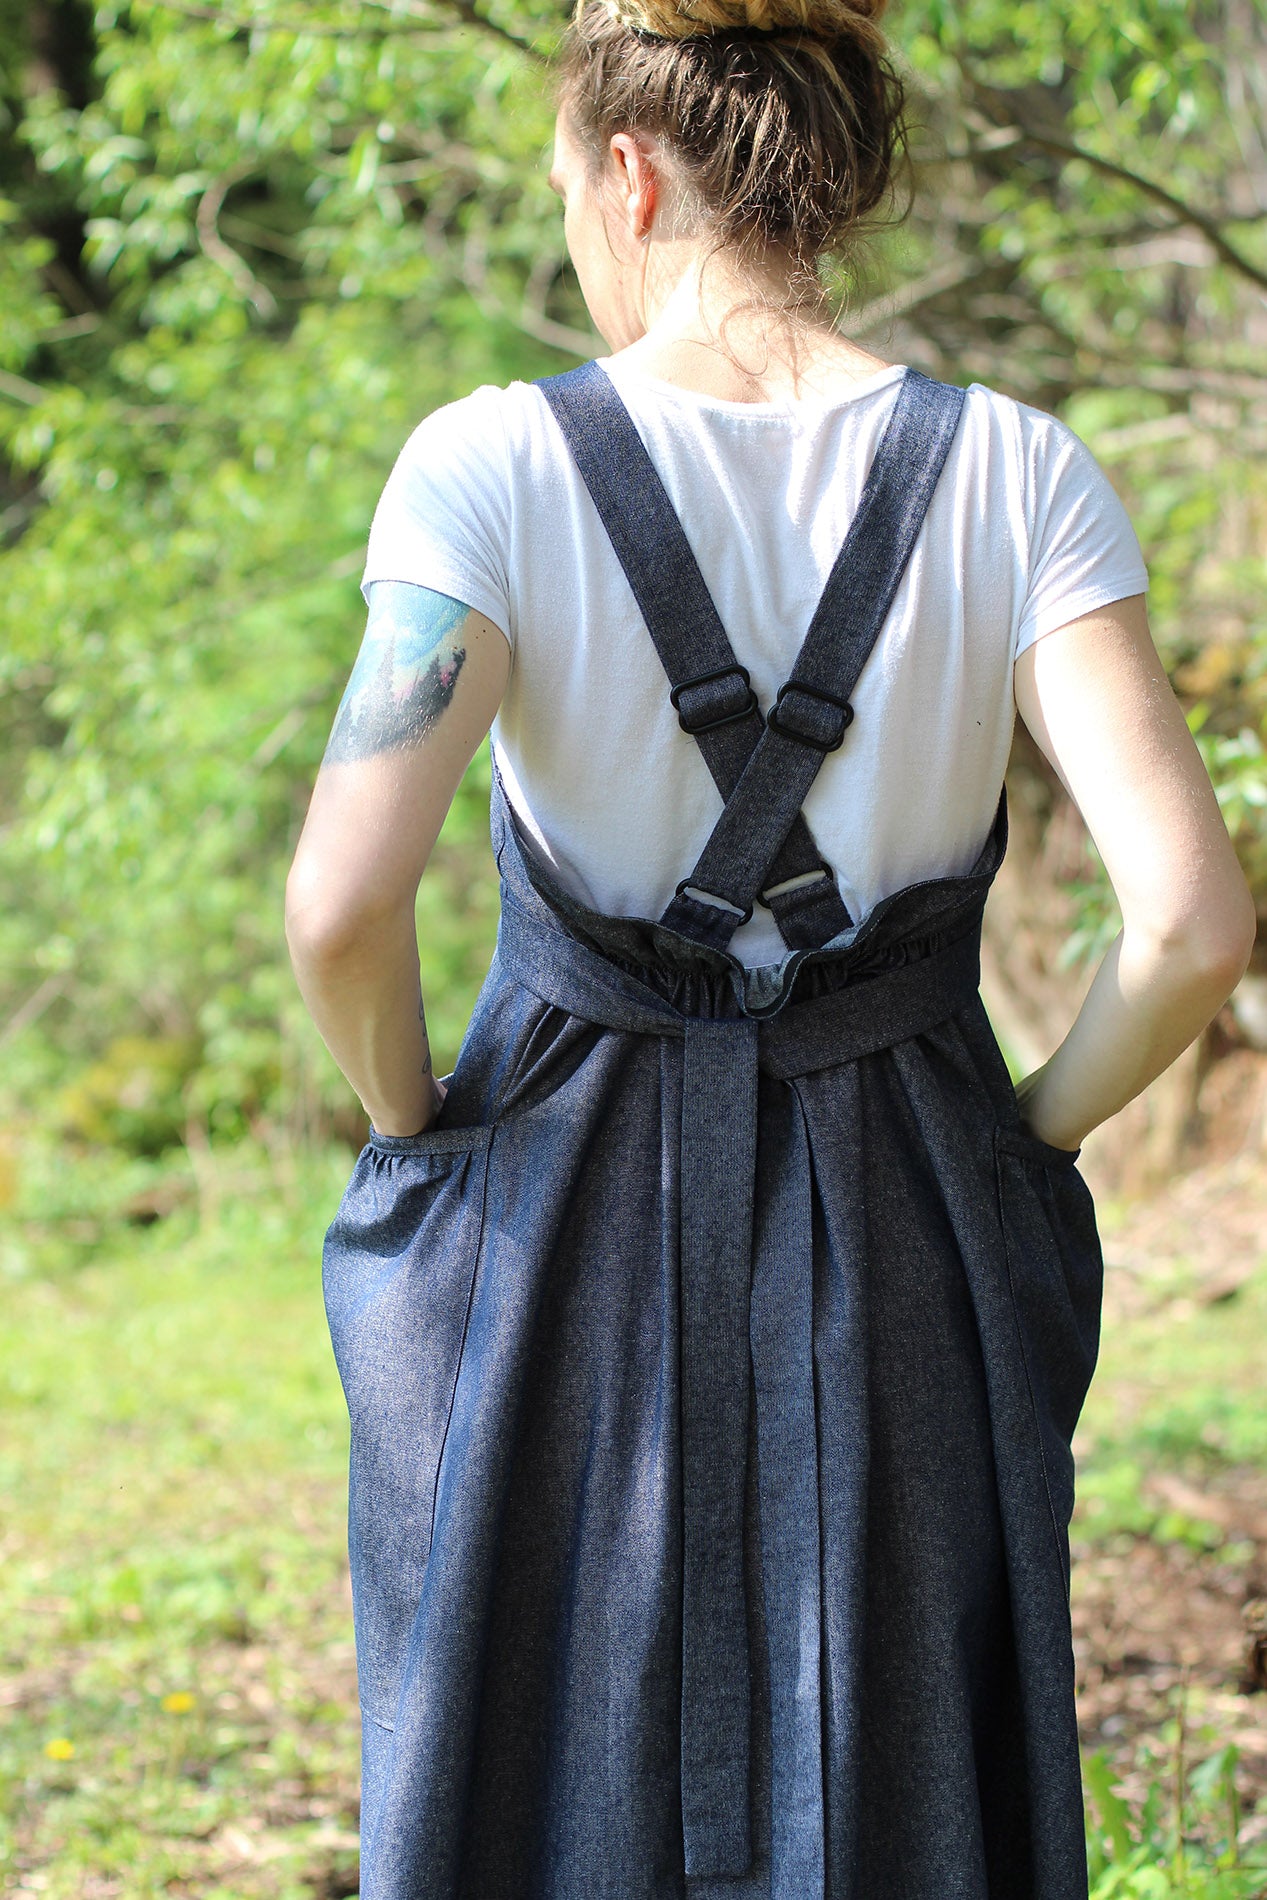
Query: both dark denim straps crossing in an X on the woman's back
761,848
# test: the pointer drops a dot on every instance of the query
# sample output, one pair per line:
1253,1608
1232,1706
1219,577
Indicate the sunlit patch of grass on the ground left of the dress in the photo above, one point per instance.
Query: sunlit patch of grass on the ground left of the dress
181,1713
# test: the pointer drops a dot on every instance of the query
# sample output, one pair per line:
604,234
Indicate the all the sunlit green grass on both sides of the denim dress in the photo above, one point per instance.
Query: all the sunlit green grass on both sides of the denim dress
180,1713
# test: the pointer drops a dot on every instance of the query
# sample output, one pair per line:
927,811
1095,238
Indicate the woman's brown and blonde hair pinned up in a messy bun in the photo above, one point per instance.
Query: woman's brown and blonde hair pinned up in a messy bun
785,117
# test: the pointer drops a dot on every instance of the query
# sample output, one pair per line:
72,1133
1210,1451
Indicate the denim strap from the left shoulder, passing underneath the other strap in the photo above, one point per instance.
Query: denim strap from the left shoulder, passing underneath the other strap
708,685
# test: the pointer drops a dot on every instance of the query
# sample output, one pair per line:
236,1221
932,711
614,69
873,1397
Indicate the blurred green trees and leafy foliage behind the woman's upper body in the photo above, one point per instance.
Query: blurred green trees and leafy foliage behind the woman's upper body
248,246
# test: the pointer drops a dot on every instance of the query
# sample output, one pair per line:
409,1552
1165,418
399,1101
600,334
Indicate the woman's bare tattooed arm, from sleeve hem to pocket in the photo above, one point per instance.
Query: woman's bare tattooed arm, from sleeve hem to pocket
423,694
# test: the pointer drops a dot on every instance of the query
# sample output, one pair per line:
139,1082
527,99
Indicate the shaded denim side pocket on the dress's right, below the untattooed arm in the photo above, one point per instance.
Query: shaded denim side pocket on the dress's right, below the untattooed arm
1057,1280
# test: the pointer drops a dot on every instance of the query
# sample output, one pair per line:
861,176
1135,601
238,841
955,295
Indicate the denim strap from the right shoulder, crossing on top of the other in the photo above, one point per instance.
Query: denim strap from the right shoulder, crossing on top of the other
812,712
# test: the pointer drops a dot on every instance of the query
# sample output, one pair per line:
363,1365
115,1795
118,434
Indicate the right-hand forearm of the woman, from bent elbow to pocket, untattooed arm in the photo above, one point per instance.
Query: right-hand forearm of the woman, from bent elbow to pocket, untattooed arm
1148,1002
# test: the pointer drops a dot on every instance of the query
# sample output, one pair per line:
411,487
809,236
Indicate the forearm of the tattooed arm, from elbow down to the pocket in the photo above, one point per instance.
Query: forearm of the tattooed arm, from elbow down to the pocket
364,995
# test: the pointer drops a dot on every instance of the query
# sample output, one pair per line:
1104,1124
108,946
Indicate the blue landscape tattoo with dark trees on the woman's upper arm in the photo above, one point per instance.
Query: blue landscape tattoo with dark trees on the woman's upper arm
406,674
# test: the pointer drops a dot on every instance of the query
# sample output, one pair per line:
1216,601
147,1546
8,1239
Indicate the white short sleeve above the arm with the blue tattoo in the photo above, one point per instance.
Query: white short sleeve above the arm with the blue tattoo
444,516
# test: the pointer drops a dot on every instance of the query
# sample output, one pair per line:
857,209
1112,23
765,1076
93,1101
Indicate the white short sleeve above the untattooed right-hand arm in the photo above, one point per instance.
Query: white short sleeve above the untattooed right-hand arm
1084,550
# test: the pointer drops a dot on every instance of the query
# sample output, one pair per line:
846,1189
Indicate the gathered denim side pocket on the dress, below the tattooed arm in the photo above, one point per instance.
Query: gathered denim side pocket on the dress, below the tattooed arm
398,1276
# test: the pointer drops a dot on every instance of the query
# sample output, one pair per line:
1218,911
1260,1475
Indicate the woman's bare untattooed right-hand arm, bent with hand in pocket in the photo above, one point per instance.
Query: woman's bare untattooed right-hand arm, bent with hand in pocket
1099,704
